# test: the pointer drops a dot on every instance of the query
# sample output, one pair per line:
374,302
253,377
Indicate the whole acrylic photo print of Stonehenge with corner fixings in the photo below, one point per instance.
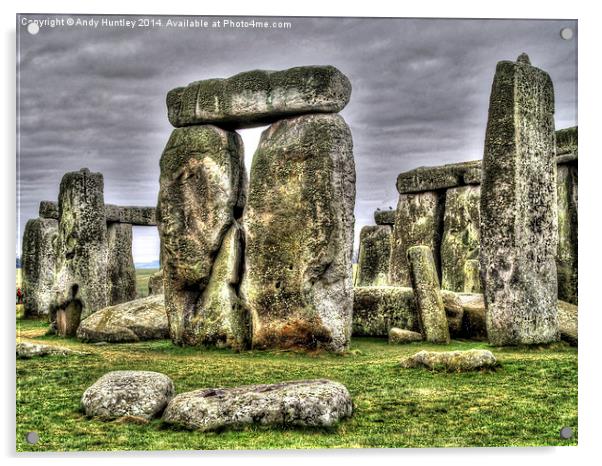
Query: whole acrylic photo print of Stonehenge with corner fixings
373,244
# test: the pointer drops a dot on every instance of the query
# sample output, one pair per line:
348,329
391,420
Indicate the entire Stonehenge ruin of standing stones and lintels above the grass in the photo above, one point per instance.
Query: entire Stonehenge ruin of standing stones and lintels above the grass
484,250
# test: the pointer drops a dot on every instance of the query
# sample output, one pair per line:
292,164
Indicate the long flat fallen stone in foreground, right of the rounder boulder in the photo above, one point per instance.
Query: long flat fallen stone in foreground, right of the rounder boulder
312,403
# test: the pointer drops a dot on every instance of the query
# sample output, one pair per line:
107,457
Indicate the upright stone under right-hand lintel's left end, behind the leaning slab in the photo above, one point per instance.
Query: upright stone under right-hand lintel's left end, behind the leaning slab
418,221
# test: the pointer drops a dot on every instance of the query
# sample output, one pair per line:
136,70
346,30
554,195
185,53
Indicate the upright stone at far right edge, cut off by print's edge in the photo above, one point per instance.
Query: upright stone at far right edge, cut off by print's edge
567,257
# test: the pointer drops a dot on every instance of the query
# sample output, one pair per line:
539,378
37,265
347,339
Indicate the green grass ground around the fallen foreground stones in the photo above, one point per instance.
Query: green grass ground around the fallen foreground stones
524,402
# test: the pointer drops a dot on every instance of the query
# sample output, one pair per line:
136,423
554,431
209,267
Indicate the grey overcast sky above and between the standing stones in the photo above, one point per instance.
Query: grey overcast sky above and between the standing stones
95,96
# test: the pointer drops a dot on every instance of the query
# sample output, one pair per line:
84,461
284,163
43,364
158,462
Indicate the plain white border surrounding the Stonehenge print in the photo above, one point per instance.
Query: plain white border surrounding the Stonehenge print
590,167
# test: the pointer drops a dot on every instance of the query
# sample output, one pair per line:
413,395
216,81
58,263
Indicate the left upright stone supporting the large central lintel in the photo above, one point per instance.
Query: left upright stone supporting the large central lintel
202,193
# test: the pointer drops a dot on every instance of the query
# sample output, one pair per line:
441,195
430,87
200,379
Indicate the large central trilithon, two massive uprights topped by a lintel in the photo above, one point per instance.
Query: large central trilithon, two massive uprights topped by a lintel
295,239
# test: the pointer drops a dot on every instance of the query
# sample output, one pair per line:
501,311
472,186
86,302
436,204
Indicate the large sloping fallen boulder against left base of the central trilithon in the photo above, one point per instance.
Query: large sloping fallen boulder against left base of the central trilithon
141,319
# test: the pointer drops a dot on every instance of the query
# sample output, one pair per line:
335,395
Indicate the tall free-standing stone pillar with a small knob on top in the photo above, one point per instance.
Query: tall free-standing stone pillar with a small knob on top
519,225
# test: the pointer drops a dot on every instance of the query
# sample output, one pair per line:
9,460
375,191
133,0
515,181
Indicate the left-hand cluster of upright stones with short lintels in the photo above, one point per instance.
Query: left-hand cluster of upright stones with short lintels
77,256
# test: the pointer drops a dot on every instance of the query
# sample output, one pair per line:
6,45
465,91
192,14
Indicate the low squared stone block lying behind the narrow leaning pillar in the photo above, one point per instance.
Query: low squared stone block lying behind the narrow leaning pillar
376,309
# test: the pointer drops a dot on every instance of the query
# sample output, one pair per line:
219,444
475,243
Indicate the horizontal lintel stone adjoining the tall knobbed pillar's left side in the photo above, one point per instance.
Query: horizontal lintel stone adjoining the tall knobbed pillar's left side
439,177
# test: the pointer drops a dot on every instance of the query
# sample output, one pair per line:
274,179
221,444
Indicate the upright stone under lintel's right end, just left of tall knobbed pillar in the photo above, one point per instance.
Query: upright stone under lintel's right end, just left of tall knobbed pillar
460,236
